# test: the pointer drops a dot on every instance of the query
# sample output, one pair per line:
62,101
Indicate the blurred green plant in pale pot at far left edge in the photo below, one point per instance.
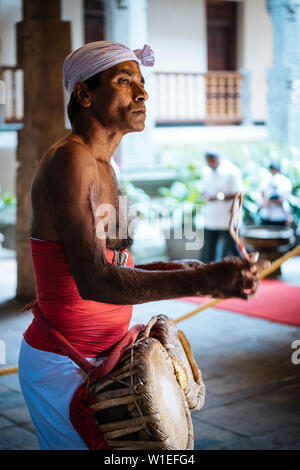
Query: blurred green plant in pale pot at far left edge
8,206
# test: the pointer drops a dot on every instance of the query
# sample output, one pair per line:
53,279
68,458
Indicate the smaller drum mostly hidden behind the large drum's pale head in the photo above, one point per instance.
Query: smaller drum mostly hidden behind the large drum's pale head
175,342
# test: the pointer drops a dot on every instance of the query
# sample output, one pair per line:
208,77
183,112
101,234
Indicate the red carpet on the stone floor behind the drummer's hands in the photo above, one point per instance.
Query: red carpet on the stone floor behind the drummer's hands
276,301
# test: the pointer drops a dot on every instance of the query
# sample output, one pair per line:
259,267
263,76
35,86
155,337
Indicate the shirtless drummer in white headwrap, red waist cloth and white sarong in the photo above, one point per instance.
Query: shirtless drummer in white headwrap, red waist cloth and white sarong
85,289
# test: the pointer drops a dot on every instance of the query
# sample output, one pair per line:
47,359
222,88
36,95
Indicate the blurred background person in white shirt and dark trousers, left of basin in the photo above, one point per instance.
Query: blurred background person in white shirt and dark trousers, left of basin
221,180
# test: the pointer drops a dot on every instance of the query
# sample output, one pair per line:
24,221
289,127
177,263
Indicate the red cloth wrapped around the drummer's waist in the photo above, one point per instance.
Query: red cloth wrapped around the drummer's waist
91,327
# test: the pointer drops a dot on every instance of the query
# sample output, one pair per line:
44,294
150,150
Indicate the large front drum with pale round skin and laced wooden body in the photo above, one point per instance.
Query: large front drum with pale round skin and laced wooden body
141,404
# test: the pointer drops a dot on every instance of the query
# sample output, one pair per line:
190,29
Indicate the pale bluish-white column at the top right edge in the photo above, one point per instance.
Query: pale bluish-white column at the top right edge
284,75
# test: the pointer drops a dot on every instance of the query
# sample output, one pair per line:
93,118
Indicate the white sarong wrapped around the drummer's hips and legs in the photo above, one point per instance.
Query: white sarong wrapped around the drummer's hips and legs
48,382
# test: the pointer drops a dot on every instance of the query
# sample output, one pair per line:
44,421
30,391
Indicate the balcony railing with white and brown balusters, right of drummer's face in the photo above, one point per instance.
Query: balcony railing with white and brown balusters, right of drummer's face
210,98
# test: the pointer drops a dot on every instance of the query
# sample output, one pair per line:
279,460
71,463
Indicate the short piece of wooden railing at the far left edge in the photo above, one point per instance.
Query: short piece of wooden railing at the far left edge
12,109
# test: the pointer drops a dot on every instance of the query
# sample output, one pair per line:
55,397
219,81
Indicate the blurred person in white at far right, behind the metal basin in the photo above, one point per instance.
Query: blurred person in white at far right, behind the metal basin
274,193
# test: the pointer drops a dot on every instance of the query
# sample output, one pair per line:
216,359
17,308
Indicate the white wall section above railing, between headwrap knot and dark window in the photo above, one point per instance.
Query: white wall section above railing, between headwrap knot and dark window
177,34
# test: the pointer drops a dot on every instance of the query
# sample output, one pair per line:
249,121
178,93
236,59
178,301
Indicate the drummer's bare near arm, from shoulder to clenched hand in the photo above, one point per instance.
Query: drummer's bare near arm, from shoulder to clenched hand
72,186
